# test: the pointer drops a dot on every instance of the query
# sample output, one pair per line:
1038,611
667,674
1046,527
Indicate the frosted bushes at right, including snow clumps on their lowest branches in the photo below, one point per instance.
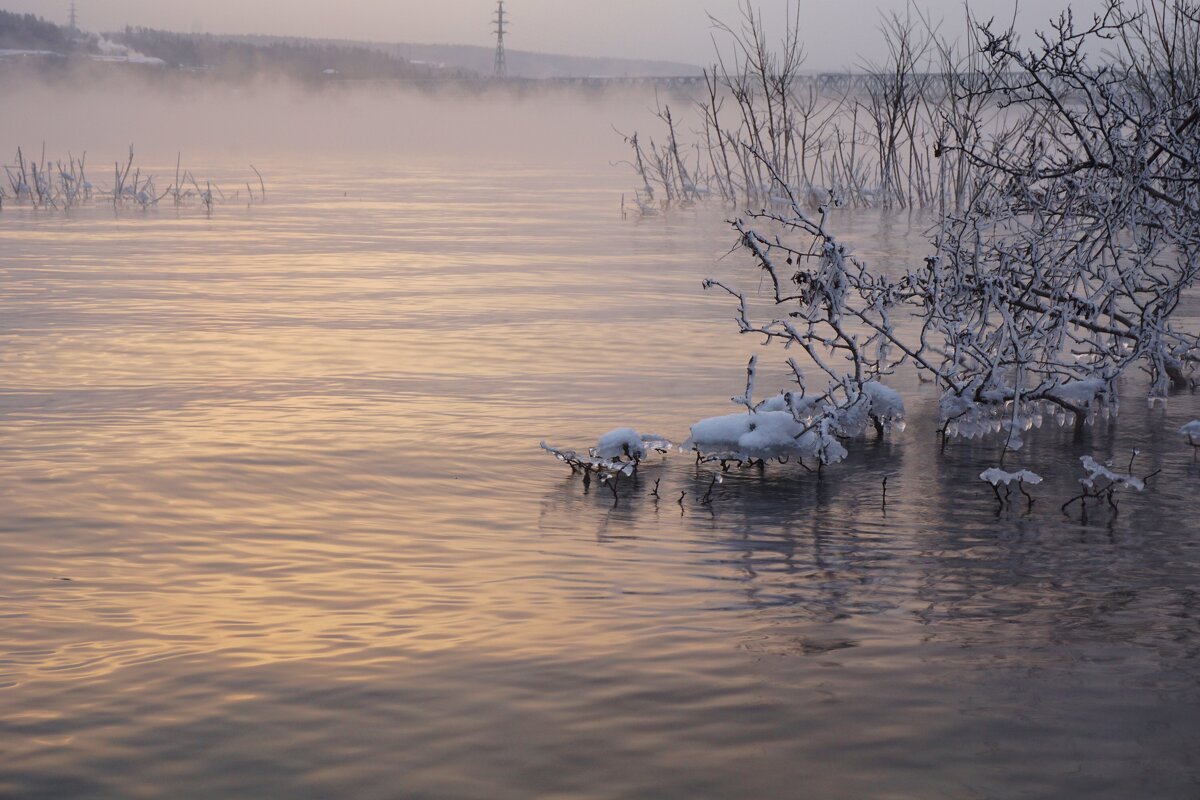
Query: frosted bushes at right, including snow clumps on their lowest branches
1069,233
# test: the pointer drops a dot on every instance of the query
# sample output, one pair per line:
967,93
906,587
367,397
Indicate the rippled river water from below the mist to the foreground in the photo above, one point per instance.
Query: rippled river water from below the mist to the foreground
275,524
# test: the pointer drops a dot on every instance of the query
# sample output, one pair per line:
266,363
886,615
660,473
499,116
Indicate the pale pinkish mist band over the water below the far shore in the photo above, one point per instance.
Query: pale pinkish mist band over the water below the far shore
263,121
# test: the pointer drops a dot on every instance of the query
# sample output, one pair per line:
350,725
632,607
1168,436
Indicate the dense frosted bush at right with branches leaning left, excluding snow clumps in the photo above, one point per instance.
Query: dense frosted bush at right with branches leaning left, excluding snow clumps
1063,270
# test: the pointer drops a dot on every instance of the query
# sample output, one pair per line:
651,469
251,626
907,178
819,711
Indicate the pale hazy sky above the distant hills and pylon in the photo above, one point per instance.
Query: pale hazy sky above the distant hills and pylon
837,33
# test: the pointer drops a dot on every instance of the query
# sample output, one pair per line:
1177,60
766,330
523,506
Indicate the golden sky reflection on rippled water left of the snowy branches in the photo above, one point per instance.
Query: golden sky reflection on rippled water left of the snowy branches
299,432
